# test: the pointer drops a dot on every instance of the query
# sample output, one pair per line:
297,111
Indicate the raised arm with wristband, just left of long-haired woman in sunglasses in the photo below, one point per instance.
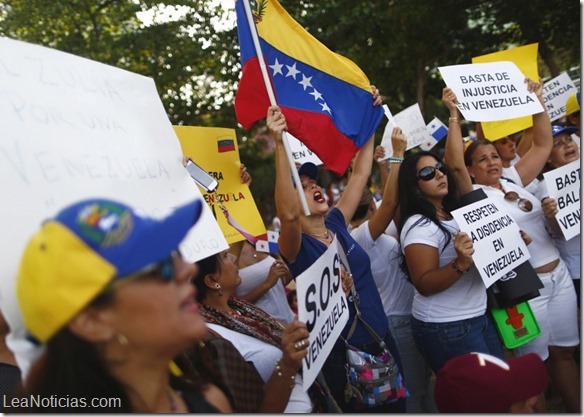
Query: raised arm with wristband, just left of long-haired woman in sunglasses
388,207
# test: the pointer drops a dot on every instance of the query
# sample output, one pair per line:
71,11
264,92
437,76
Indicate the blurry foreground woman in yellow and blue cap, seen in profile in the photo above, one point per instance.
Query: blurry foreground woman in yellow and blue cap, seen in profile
106,290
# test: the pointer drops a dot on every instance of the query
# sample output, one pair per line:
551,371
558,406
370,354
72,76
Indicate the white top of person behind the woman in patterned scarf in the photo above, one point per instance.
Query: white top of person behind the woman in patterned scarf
274,301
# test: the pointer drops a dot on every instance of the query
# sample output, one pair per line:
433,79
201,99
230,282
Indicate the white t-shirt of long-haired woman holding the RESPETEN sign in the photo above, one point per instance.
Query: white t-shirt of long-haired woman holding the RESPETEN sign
466,298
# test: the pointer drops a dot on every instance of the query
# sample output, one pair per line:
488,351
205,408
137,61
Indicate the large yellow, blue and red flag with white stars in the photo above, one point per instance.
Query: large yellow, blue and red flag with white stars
325,97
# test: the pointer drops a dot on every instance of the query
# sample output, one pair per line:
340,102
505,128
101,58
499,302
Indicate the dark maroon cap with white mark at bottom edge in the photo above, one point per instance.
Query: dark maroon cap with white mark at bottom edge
481,383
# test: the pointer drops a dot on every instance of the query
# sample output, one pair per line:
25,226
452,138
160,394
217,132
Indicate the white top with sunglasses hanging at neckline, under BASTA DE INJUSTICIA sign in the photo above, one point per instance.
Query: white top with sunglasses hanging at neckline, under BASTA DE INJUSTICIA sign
541,248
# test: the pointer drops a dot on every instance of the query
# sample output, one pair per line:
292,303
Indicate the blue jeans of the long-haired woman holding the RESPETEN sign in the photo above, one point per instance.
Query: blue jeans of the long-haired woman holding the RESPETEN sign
439,342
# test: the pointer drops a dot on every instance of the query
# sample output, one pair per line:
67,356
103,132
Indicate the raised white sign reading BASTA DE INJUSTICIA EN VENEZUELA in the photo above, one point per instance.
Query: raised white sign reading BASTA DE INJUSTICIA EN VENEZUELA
491,91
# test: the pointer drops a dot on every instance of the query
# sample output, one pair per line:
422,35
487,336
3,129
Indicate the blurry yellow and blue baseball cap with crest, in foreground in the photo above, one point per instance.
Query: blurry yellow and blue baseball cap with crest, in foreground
71,259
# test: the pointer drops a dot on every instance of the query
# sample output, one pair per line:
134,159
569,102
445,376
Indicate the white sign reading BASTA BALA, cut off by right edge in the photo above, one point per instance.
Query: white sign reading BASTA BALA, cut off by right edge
563,184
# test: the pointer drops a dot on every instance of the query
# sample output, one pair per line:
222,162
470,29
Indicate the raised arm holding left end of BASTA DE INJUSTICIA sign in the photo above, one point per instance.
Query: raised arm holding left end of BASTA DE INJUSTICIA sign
454,149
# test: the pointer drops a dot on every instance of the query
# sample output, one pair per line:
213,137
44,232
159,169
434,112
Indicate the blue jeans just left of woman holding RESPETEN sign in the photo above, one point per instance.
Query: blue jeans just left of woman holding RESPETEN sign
417,374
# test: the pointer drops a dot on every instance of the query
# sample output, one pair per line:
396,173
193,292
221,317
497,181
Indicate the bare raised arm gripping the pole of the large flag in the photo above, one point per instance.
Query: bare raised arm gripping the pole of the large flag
285,197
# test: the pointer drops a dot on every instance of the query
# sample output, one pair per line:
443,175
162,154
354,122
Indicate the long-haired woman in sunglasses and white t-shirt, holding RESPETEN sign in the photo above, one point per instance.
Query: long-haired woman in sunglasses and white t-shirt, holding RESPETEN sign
449,307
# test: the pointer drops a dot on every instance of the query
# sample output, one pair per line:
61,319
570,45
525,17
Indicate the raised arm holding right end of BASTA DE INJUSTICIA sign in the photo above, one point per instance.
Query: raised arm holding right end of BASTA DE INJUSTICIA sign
535,158
